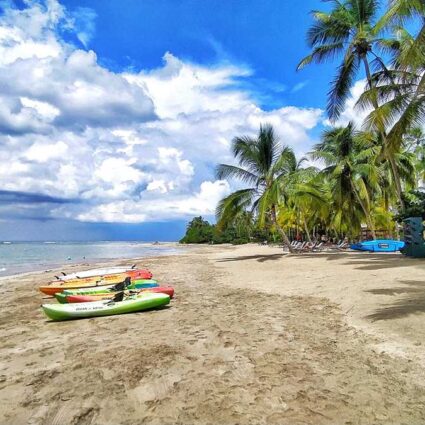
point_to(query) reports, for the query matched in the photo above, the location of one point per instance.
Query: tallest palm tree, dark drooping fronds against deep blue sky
(350, 30)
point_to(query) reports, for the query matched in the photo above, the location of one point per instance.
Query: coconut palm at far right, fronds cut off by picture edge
(400, 92)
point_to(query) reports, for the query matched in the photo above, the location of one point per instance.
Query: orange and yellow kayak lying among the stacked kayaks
(58, 285)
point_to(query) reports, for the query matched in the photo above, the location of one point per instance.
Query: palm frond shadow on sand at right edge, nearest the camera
(413, 301)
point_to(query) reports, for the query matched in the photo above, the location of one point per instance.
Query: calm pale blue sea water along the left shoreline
(20, 257)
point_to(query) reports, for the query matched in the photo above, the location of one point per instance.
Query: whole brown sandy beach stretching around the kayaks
(252, 337)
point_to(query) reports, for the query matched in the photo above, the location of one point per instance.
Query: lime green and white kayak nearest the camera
(105, 308)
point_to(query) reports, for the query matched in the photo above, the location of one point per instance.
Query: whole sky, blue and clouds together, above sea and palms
(114, 114)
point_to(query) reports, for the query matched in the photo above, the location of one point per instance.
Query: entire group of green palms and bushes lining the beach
(368, 175)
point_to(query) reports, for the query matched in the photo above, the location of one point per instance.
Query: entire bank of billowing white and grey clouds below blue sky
(130, 146)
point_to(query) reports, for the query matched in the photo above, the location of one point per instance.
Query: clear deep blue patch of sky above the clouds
(267, 36)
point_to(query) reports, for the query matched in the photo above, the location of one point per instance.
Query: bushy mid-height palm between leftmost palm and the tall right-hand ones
(350, 167)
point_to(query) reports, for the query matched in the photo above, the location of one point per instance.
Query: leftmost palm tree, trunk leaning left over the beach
(267, 167)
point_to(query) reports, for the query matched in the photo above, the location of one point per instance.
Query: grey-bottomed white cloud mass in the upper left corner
(36, 65)
